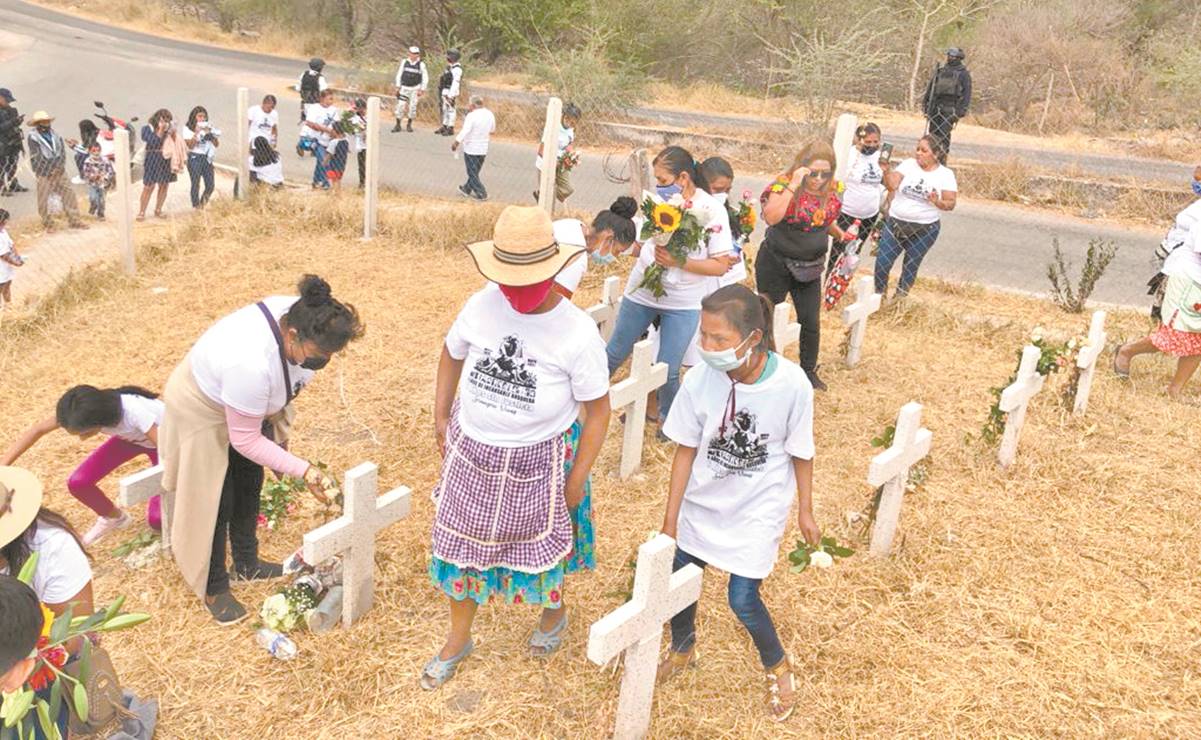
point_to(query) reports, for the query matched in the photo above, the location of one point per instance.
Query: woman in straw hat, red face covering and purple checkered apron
(513, 503)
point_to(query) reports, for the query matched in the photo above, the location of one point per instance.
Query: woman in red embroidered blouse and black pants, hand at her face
(802, 211)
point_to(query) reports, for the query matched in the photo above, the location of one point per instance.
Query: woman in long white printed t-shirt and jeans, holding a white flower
(744, 425)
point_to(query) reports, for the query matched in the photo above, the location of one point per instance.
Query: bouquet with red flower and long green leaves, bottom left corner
(52, 657)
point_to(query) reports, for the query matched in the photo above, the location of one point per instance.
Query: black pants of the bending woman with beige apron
(238, 516)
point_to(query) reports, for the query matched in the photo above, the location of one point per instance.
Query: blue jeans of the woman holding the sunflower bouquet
(677, 330)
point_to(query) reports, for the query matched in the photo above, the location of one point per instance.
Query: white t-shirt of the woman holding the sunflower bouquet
(685, 290)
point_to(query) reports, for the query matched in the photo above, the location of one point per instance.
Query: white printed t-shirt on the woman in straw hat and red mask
(524, 375)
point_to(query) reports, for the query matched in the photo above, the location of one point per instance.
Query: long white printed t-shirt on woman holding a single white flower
(743, 484)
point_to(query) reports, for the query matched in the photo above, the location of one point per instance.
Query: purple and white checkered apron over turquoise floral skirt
(501, 506)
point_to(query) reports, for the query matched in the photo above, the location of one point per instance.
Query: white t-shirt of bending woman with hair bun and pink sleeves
(237, 361)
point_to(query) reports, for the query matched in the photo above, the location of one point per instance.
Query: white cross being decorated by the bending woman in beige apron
(354, 534)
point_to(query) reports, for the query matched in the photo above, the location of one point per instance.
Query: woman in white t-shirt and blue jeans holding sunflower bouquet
(685, 283)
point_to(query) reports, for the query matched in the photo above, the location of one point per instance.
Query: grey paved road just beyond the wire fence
(62, 64)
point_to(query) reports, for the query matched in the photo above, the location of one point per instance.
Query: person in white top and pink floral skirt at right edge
(1180, 335)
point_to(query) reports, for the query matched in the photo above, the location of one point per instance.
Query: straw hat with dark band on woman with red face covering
(523, 249)
